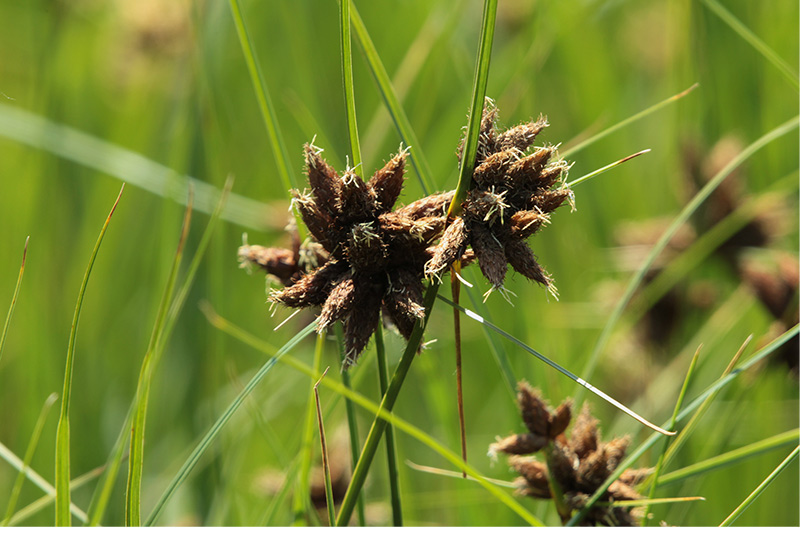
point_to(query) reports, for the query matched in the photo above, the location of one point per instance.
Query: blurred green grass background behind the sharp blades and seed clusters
(167, 80)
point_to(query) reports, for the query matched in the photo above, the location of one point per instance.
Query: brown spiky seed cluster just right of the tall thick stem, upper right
(510, 198)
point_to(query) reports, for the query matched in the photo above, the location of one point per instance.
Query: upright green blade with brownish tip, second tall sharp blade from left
(136, 458)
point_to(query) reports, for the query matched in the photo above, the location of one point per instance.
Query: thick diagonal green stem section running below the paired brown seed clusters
(379, 424)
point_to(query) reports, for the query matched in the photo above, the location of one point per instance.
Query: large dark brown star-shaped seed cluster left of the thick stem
(375, 257)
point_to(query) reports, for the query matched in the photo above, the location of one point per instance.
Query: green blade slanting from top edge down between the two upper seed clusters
(396, 110)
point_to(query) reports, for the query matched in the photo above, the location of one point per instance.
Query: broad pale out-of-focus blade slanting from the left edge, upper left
(133, 168)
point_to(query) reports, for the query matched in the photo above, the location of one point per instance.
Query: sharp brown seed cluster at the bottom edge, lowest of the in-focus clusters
(578, 465)
